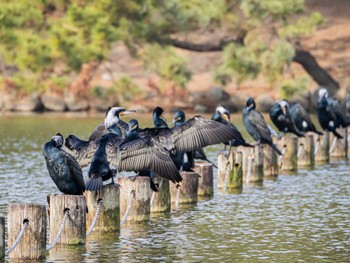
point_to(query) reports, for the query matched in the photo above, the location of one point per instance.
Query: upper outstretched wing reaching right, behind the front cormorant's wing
(197, 133)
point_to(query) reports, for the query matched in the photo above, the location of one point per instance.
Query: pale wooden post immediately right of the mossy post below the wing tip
(253, 163)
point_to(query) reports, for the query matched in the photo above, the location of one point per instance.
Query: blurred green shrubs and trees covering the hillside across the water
(47, 41)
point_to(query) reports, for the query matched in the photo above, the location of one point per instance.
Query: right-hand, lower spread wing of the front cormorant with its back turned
(146, 154)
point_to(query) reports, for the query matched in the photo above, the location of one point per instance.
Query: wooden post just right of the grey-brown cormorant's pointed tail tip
(288, 161)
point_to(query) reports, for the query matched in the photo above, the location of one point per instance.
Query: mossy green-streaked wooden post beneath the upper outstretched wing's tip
(230, 174)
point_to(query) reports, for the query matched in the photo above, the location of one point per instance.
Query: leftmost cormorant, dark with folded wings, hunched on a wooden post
(63, 168)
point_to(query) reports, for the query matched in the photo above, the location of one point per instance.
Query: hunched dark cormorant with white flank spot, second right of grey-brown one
(302, 119)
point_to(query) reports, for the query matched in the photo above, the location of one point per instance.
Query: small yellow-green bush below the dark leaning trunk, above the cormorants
(288, 88)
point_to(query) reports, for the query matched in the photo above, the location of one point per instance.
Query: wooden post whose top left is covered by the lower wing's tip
(188, 190)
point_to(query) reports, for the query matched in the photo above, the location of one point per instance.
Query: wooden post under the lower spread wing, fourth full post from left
(140, 209)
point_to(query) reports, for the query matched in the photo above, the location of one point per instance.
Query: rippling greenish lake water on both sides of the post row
(303, 217)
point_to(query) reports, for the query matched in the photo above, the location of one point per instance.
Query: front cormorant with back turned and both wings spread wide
(137, 155)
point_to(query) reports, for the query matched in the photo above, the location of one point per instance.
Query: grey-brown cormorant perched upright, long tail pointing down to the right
(256, 125)
